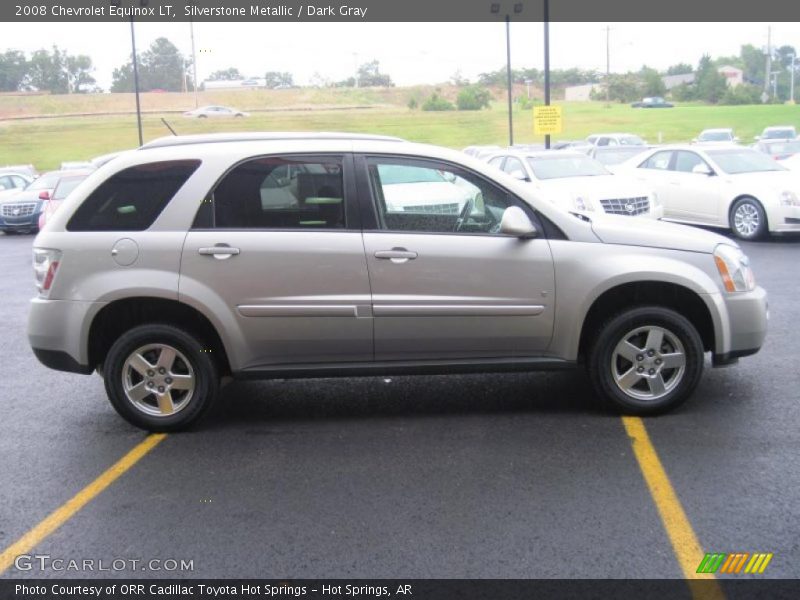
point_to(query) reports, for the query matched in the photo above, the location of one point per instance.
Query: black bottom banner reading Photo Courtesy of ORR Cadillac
(410, 589)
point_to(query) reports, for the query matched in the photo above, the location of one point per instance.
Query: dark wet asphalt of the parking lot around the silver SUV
(503, 476)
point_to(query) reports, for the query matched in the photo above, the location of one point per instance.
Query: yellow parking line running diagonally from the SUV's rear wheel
(66, 511)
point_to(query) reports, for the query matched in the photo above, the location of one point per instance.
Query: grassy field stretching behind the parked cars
(45, 142)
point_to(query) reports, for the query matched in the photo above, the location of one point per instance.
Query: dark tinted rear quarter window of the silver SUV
(132, 199)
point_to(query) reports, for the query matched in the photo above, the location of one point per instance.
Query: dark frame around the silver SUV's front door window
(368, 207)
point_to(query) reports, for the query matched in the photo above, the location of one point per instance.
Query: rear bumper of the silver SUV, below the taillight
(58, 332)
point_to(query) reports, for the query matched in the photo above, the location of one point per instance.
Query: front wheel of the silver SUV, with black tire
(607, 366)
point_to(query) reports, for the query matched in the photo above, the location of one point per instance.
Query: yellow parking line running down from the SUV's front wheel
(681, 535)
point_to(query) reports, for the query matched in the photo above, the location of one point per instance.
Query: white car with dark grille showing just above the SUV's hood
(577, 182)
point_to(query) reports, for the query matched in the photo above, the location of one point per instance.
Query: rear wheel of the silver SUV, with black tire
(192, 360)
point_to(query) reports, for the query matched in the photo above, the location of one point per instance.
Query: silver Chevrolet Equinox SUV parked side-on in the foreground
(299, 255)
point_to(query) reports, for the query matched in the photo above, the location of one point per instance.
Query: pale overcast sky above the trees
(409, 52)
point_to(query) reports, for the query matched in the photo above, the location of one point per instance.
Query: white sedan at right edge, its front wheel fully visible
(731, 187)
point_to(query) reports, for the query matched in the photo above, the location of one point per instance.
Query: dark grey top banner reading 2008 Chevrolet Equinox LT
(397, 10)
